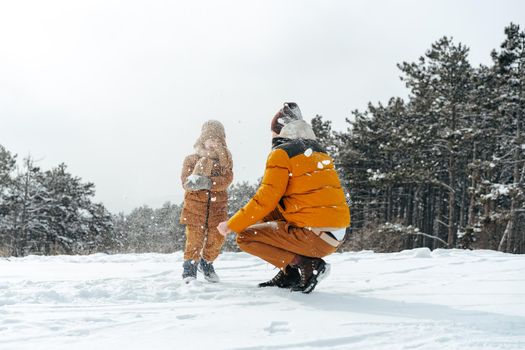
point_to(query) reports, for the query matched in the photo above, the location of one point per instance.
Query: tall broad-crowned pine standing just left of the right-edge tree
(440, 85)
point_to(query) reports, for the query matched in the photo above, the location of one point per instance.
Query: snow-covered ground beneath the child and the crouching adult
(417, 299)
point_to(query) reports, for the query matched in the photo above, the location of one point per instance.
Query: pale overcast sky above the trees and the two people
(118, 90)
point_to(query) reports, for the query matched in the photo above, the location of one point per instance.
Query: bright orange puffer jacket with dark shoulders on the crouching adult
(301, 182)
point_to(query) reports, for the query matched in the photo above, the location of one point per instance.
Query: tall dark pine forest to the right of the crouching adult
(446, 167)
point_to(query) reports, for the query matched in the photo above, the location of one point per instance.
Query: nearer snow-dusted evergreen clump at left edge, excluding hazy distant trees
(49, 212)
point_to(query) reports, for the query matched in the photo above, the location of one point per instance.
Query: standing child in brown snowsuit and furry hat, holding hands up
(206, 175)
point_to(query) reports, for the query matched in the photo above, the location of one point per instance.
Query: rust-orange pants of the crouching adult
(278, 242)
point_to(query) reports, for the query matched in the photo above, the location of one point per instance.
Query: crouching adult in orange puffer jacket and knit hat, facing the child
(299, 213)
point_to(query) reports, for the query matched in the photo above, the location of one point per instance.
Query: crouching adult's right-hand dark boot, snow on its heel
(312, 270)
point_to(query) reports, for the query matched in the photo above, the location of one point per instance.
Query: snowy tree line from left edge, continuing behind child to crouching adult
(52, 212)
